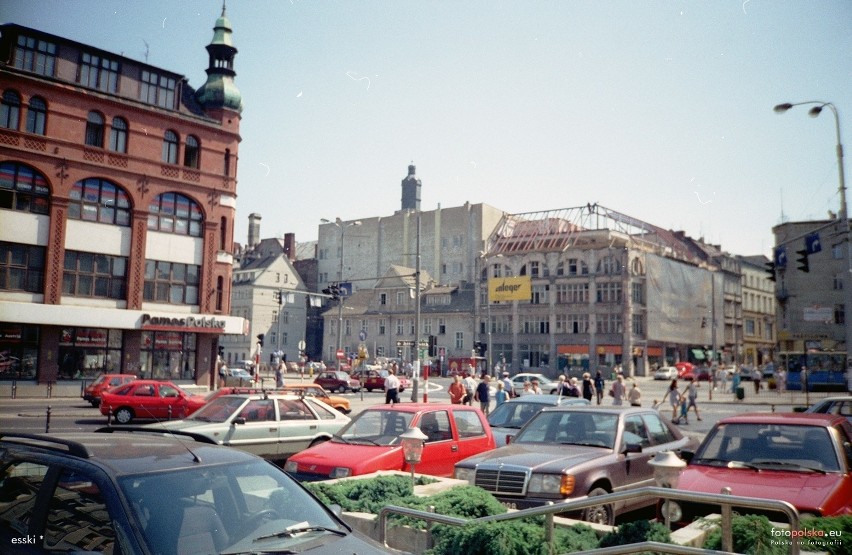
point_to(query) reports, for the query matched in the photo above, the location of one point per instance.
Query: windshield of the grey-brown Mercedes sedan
(570, 428)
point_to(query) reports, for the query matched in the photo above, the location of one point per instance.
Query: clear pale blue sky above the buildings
(658, 109)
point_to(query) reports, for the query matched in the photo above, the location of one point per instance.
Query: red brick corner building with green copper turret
(117, 202)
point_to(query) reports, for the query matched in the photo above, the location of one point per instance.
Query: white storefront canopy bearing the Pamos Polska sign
(118, 318)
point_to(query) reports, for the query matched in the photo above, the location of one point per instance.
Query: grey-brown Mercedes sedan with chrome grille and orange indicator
(569, 452)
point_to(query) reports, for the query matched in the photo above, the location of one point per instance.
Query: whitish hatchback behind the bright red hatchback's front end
(270, 426)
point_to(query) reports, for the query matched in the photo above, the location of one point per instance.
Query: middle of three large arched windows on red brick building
(98, 200)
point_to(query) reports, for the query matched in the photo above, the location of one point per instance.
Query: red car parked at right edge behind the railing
(803, 459)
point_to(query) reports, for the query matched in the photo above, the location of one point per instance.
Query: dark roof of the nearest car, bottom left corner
(128, 452)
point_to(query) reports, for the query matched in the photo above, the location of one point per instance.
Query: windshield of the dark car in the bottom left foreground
(236, 508)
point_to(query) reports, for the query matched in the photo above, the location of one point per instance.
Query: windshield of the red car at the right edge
(762, 445)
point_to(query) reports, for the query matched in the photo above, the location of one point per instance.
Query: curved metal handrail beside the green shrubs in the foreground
(725, 501)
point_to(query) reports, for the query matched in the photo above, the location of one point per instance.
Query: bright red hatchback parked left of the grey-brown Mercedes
(370, 442)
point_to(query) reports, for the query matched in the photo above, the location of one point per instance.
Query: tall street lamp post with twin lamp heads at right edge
(843, 218)
